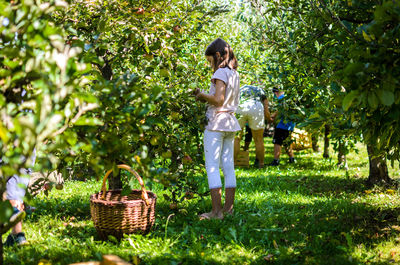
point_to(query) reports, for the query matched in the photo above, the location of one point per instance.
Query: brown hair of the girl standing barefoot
(227, 57)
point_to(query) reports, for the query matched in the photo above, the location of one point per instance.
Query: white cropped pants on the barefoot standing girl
(218, 150)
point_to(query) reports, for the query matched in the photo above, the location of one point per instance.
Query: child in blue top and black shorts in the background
(282, 131)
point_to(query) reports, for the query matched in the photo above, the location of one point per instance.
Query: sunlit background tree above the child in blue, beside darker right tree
(276, 31)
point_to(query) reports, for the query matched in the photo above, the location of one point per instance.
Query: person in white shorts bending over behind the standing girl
(253, 109)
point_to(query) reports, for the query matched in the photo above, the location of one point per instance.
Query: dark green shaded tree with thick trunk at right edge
(341, 51)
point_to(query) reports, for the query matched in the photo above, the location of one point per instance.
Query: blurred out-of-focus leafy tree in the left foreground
(42, 85)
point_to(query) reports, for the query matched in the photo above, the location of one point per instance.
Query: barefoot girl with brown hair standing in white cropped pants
(222, 100)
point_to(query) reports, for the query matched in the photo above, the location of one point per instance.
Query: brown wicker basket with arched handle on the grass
(114, 214)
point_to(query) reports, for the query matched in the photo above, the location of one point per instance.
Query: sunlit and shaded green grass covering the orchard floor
(307, 213)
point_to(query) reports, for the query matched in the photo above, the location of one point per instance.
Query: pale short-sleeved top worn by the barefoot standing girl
(223, 118)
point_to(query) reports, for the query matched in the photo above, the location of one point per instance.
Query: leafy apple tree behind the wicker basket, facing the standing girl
(148, 56)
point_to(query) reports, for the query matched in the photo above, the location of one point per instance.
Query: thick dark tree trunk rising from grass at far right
(378, 171)
